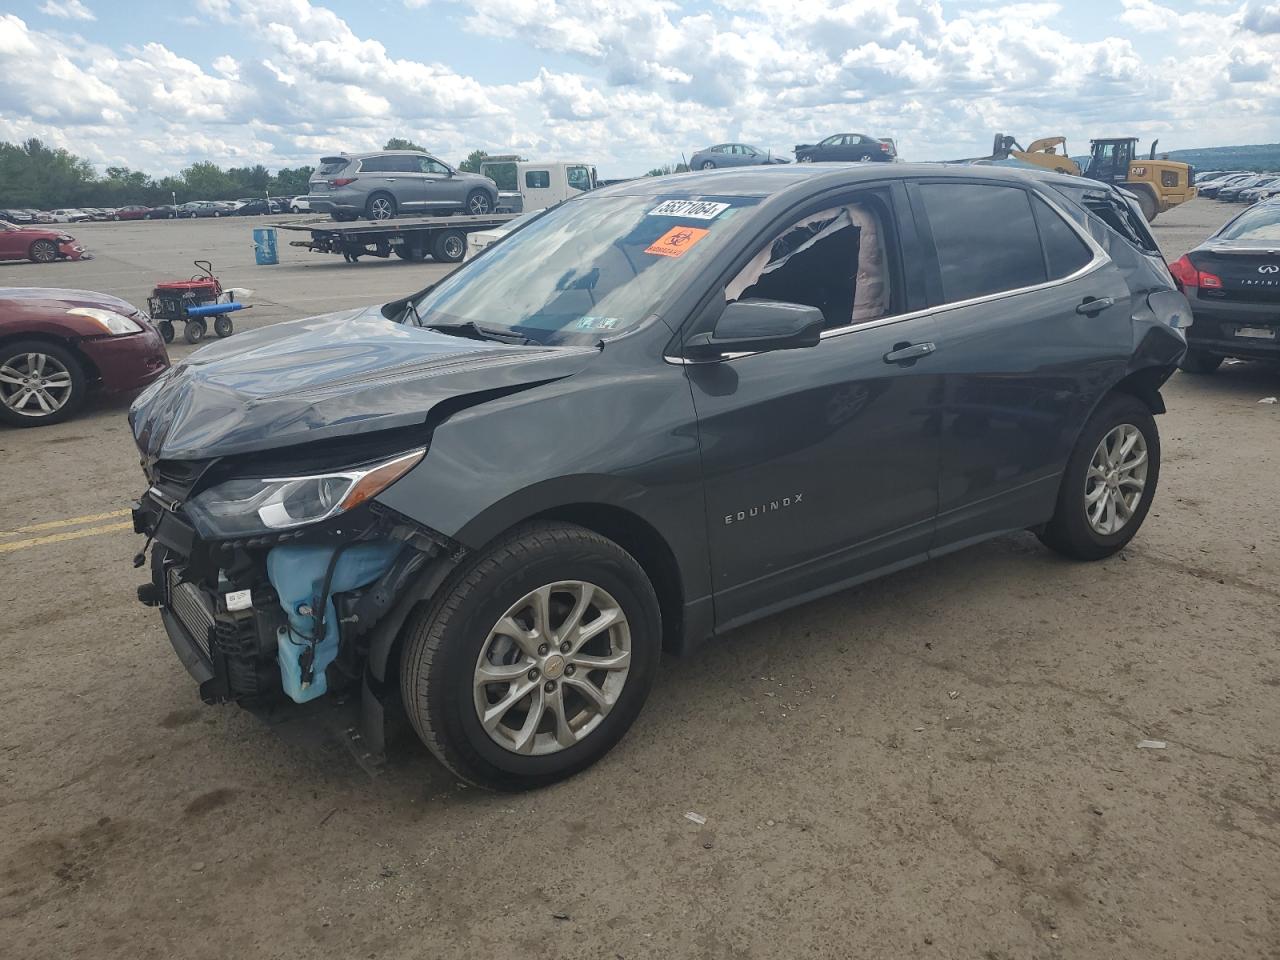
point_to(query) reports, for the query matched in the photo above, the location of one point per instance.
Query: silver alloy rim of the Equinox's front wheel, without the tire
(552, 669)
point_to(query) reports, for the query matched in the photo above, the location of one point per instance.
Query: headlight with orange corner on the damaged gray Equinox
(244, 508)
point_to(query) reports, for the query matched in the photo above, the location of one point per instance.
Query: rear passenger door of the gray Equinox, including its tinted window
(1034, 328)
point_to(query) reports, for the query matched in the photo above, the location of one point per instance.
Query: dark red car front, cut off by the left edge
(57, 346)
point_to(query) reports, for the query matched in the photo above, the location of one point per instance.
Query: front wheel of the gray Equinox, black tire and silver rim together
(534, 660)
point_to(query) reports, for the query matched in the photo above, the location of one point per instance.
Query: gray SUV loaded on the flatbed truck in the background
(380, 186)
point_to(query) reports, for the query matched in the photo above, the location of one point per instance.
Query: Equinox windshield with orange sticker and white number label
(584, 271)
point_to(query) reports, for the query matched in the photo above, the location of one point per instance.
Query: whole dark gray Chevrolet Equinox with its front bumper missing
(648, 415)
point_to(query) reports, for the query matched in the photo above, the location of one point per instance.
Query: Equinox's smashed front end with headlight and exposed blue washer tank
(286, 589)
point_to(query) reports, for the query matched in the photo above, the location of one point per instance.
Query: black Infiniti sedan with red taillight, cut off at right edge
(1233, 284)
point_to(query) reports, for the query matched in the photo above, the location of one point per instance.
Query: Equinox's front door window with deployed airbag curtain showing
(835, 259)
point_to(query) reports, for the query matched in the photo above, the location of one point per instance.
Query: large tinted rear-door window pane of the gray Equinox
(986, 239)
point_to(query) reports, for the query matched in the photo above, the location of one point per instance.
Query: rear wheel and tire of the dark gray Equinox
(1109, 483)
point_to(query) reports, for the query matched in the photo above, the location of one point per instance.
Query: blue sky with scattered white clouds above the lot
(627, 85)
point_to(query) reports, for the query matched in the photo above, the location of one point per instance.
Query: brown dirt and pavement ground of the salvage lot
(939, 765)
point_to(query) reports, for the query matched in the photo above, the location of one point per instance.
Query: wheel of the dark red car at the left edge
(40, 383)
